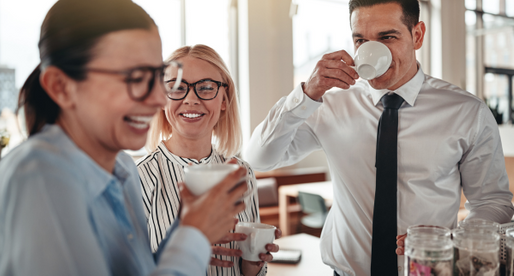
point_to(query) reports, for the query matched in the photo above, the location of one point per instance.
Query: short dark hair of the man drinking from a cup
(410, 9)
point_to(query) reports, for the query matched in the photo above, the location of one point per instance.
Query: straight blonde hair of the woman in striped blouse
(227, 131)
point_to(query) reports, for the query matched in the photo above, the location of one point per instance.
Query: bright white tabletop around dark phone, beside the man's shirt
(310, 263)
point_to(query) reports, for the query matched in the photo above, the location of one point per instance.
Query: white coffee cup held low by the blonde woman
(258, 235)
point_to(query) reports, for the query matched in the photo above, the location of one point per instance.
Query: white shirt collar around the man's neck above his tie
(409, 91)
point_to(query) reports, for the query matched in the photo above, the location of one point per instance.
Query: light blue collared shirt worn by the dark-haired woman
(62, 214)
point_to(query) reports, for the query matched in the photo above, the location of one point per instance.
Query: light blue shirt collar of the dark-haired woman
(95, 178)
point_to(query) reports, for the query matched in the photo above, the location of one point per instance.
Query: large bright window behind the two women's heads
(206, 22)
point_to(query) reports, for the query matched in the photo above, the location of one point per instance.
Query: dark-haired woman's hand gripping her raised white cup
(213, 212)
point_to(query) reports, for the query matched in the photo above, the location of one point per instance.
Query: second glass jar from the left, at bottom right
(476, 252)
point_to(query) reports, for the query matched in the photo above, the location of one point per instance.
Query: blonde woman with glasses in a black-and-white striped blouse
(204, 109)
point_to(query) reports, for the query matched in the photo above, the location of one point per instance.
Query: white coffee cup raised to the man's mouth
(372, 59)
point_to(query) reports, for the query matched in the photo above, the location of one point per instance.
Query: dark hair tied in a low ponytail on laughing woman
(69, 33)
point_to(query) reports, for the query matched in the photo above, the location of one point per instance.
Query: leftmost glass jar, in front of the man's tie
(428, 251)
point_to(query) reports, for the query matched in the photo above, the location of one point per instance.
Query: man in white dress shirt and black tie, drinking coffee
(448, 140)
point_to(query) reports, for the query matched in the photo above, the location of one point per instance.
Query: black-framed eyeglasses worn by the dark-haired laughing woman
(141, 80)
